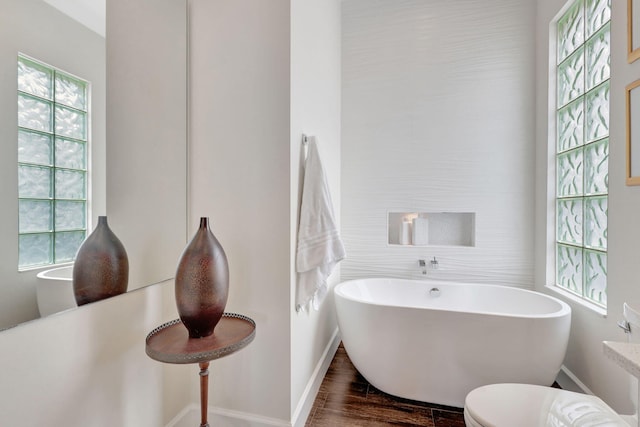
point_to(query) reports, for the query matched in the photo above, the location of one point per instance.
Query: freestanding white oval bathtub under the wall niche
(435, 341)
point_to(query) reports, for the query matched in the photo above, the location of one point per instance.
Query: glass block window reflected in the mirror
(53, 123)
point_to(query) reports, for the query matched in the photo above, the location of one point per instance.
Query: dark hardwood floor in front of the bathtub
(347, 399)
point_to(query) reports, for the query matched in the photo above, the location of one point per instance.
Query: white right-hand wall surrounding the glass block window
(585, 358)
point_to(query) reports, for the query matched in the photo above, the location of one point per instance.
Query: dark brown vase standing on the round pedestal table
(202, 283)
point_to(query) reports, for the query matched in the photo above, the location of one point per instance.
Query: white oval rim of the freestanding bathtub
(565, 309)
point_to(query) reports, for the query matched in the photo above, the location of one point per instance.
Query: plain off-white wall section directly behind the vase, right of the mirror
(240, 175)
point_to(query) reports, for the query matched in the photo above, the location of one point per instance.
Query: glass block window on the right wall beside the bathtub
(582, 148)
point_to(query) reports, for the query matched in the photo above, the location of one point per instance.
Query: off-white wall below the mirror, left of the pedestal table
(87, 366)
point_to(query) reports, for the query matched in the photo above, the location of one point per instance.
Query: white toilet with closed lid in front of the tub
(526, 405)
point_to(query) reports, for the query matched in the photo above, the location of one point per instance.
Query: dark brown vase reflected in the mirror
(101, 268)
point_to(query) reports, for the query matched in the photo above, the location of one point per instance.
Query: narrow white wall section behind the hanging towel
(315, 110)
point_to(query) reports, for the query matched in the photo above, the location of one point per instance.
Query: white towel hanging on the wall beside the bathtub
(319, 245)
